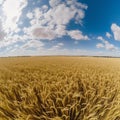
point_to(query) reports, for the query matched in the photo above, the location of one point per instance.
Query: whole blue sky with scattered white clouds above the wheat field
(59, 27)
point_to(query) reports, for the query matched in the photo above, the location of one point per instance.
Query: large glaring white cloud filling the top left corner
(9, 22)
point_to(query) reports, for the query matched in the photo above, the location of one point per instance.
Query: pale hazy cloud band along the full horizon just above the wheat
(43, 52)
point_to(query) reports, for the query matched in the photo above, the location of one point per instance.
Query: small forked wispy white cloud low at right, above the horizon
(105, 44)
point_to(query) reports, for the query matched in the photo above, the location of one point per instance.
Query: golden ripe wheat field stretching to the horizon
(59, 88)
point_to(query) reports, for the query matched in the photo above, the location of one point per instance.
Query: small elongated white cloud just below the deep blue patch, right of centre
(77, 35)
